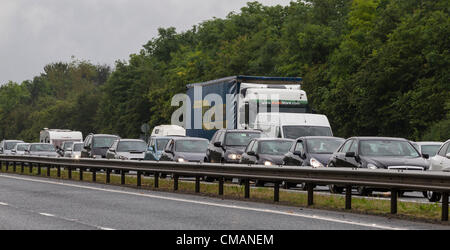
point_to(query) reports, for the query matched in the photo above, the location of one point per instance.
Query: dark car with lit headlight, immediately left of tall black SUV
(185, 149)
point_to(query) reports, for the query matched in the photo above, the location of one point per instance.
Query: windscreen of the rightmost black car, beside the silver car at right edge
(390, 148)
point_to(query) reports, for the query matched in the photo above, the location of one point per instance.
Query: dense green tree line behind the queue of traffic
(374, 67)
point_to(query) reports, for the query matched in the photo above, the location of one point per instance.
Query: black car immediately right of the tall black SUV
(266, 151)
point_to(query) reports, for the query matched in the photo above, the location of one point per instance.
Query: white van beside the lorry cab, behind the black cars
(292, 125)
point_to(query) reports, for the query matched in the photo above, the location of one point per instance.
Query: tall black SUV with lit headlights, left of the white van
(227, 146)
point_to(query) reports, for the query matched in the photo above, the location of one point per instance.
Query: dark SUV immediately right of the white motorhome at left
(96, 145)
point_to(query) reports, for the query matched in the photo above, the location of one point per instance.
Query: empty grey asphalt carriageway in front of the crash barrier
(40, 203)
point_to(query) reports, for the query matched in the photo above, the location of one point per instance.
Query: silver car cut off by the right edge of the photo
(440, 162)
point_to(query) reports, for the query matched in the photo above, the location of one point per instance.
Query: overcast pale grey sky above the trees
(37, 32)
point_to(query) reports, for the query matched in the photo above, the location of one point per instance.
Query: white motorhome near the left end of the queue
(58, 136)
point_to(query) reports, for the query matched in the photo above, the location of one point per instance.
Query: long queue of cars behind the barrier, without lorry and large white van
(252, 147)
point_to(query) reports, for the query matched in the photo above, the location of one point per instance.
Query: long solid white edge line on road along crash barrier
(295, 214)
